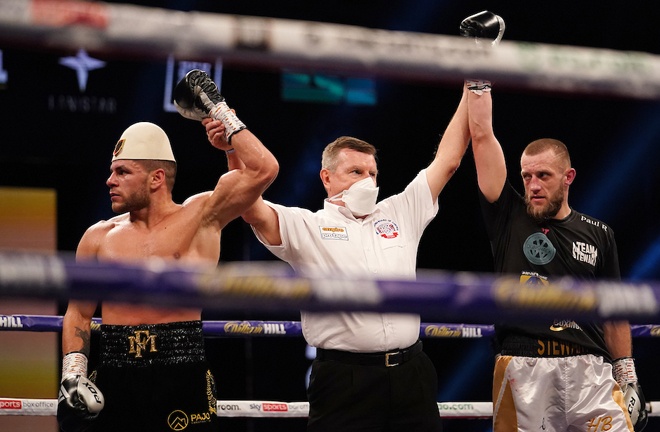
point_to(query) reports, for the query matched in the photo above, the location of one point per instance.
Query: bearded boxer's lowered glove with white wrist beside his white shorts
(625, 375)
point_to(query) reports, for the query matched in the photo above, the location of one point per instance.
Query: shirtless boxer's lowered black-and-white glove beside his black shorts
(79, 401)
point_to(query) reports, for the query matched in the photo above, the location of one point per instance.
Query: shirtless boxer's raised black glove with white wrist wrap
(197, 97)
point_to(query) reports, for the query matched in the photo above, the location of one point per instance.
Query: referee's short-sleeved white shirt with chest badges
(384, 244)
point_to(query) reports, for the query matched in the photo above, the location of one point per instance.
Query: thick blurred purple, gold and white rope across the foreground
(273, 286)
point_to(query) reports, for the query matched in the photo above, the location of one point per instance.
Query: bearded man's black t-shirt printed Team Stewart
(578, 246)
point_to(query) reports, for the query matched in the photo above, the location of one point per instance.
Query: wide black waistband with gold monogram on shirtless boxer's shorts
(152, 344)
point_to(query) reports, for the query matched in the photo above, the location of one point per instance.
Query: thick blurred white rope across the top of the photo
(156, 32)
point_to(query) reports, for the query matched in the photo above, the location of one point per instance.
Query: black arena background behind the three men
(53, 135)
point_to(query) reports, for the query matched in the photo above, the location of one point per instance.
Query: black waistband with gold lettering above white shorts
(525, 346)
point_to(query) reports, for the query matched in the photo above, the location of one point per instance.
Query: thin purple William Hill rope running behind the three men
(243, 328)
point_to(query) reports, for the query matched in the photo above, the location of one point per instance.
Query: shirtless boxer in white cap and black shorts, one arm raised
(152, 372)
